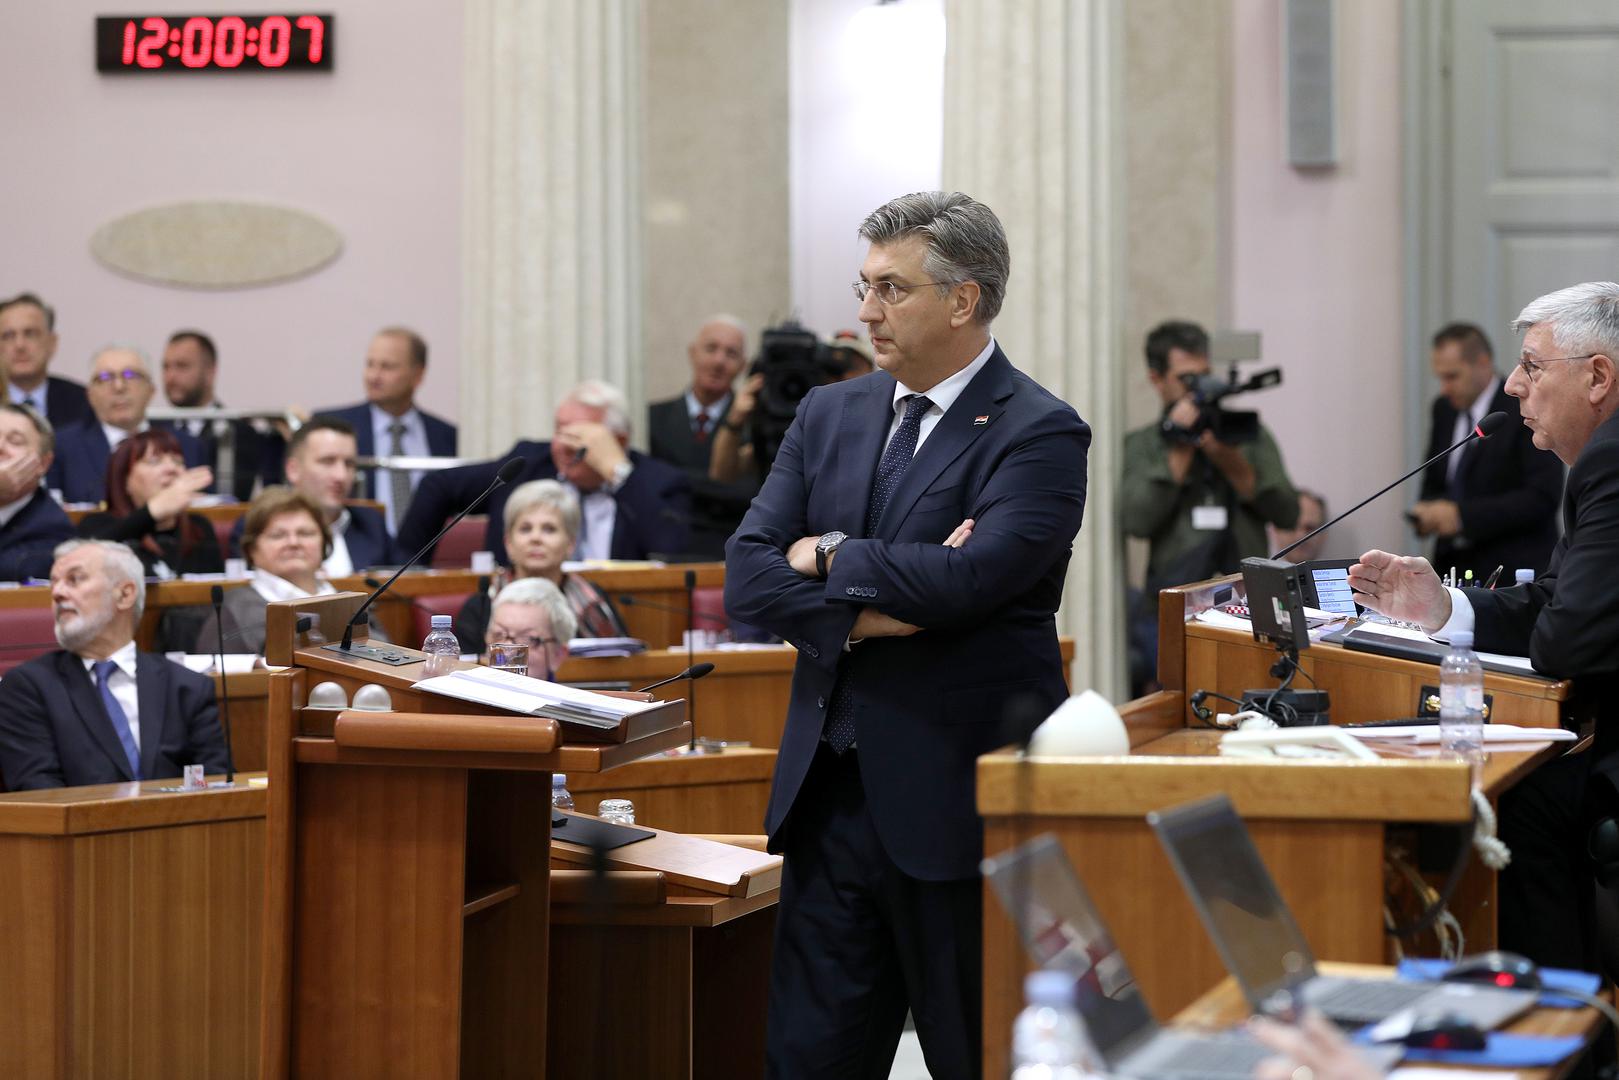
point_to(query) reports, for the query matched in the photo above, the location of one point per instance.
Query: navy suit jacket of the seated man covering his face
(655, 504)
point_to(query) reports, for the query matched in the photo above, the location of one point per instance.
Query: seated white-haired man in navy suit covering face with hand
(632, 506)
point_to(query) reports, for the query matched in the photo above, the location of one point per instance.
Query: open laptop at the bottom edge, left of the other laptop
(1063, 930)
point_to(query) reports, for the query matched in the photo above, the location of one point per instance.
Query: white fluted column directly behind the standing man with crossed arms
(1030, 96)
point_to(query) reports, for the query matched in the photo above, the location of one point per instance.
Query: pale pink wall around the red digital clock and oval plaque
(373, 148)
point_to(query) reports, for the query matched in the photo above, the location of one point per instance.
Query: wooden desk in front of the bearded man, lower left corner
(134, 925)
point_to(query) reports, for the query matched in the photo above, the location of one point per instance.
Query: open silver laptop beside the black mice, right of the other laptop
(1264, 948)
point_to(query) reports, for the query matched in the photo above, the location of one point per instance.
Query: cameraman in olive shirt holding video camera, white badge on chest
(1204, 482)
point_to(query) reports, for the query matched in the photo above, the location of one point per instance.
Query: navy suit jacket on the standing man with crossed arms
(985, 666)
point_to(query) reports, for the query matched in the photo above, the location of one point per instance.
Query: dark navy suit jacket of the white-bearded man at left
(54, 728)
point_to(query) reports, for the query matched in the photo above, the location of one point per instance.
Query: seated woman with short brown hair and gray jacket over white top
(286, 540)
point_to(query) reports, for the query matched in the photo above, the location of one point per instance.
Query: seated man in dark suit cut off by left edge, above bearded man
(32, 524)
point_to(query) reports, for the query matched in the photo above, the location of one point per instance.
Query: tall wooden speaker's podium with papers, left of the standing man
(407, 867)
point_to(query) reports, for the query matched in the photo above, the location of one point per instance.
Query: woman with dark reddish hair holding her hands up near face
(148, 495)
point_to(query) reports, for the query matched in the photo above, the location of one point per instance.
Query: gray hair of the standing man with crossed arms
(966, 242)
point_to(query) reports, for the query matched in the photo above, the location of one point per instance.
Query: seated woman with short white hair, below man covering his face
(542, 529)
